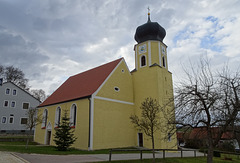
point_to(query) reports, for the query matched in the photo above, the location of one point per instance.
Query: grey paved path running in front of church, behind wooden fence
(39, 158)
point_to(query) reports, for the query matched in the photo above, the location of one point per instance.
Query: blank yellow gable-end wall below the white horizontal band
(112, 126)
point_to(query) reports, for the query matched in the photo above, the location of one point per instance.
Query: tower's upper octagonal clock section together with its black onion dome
(150, 48)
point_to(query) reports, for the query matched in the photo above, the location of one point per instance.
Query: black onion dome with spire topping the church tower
(149, 31)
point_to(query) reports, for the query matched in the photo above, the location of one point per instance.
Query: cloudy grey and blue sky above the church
(51, 40)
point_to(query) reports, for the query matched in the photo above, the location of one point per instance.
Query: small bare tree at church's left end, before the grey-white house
(33, 120)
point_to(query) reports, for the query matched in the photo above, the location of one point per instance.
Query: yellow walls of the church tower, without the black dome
(155, 82)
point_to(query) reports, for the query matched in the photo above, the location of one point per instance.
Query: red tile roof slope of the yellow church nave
(81, 85)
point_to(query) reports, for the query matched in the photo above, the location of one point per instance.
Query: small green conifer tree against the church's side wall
(64, 136)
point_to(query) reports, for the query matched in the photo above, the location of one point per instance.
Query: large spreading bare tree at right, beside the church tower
(207, 100)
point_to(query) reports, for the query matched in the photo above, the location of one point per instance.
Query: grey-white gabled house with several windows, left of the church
(14, 103)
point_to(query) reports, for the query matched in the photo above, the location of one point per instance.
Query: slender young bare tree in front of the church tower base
(149, 121)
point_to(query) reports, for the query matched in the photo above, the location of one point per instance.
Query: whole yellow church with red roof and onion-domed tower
(101, 100)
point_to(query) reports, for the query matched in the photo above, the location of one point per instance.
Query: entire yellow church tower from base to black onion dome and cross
(151, 77)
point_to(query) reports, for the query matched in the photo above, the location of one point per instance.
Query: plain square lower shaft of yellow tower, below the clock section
(155, 82)
